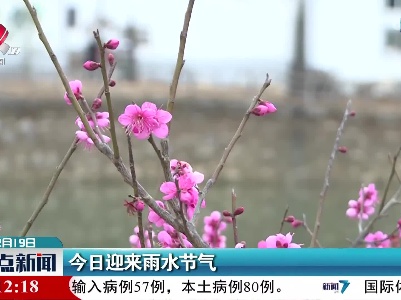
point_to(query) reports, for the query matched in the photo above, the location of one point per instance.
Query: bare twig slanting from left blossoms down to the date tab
(49, 189)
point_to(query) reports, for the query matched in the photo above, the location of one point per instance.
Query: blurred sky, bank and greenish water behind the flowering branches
(319, 54)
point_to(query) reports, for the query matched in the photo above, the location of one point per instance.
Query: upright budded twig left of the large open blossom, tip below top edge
(107, 94)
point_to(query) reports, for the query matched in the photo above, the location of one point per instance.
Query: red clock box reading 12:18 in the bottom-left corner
(36, 287)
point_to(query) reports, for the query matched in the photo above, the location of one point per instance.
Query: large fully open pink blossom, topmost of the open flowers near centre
(145, 120)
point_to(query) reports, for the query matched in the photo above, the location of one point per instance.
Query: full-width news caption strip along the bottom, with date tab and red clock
(40, 268)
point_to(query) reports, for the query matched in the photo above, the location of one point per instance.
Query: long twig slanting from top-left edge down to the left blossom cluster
(59, 69)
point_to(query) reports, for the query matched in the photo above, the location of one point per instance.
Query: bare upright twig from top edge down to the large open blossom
(180, 58)
